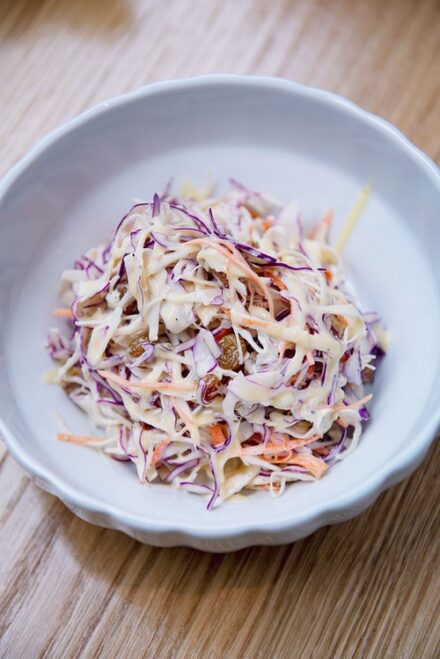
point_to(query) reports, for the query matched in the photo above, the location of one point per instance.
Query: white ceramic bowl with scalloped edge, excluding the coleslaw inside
(295, 142)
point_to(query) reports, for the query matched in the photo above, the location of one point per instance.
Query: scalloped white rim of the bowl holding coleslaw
(389, 473)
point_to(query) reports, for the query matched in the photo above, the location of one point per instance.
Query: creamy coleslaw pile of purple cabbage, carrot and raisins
(217, 345)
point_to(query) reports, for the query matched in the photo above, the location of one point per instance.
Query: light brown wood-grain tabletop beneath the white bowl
(366, 588)
